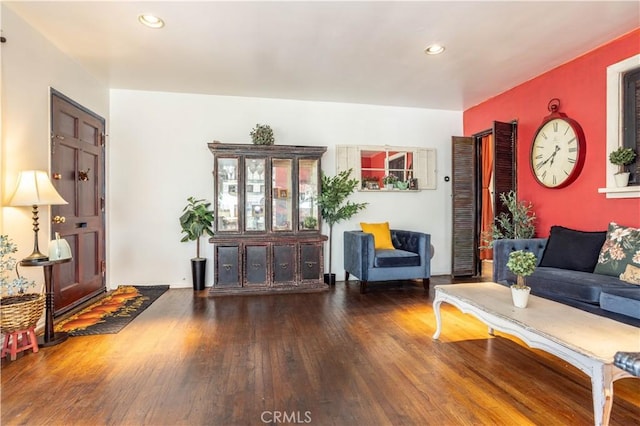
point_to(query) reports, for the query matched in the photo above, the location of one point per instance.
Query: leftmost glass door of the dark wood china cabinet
(227, 203)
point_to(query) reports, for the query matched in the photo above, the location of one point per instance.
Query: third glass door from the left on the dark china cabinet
(282, 209)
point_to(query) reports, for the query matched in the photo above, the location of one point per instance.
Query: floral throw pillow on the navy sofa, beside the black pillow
(621, 248)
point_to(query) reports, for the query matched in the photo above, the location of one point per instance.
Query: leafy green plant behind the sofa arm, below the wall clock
(518, 222)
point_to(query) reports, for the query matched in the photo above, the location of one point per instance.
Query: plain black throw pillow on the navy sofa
(571, 249)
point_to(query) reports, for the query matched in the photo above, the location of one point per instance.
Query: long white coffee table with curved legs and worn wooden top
(586, 341)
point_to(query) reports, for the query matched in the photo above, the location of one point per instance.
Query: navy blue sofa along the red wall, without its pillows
(599, 294)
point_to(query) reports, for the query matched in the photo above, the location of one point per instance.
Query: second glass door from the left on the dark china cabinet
(254, 177)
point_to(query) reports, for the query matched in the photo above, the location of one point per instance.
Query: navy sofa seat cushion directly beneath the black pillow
(577, 285)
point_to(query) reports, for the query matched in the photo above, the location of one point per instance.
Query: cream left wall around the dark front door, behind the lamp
(30, 66)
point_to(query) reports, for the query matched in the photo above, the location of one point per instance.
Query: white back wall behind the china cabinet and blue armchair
(158, 157)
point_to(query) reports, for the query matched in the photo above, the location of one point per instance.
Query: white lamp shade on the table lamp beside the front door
(35, 189)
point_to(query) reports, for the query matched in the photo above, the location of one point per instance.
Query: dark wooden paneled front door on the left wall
(78, 173)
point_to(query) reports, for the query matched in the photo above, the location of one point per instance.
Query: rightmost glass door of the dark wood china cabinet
(308, 194)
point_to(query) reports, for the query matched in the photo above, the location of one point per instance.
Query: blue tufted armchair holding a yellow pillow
(411, 258)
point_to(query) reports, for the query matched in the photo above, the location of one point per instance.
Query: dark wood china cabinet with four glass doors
(267, 221)
